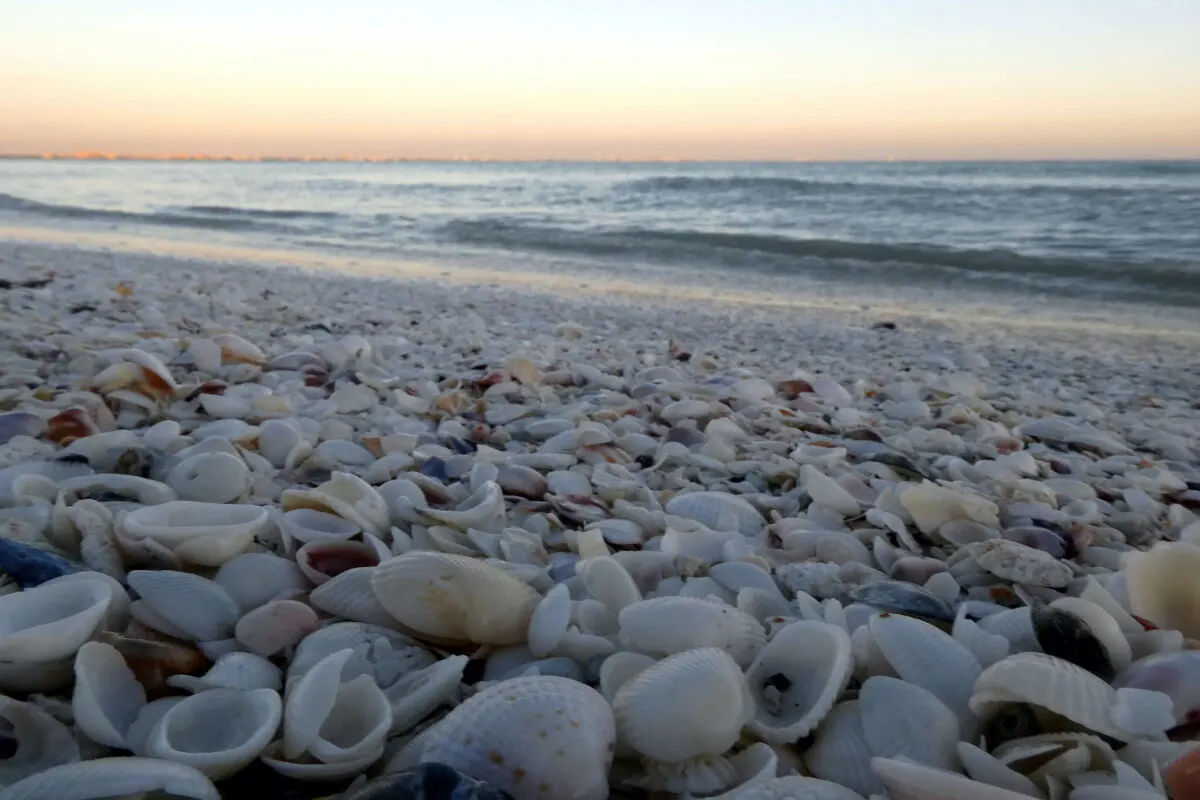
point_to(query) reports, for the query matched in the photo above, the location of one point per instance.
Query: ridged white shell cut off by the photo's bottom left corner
(111, 778)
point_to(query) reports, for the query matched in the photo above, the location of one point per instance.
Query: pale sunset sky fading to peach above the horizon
(709, 80)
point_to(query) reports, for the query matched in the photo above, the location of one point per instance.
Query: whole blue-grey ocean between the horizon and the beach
(1108, 231)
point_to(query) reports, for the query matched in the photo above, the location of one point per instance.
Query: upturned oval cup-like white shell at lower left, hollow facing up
(219, 732)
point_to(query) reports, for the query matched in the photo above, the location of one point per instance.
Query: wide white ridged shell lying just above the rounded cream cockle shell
(669, 625)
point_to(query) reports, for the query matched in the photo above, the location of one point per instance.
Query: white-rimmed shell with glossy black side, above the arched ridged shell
(1083, 634)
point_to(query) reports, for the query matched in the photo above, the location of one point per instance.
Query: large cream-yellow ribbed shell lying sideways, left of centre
(454, 598)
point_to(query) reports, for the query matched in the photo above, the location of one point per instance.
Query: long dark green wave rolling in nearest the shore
(779, 254)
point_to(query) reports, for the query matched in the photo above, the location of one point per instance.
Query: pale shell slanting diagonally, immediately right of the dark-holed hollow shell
(931, 659)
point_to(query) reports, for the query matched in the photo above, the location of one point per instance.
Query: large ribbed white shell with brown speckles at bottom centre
(538, 738)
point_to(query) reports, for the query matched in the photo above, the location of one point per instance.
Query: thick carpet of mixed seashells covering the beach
(557, 562)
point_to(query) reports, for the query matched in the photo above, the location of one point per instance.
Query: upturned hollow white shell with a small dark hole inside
(797, 678)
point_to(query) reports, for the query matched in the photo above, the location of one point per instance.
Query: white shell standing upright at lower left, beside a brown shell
(107, 696)
